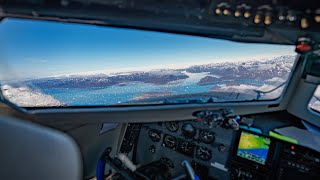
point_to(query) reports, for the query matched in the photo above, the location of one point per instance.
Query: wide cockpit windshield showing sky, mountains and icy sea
(58, 64)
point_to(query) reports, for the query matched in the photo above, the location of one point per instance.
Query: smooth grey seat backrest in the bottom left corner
(31, 151)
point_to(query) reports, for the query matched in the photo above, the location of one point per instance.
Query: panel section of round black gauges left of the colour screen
(205, 148)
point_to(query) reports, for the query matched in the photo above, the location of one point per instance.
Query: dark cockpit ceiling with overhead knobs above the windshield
(270, 21)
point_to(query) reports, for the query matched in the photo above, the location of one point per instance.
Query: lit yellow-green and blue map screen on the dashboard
(253, 147)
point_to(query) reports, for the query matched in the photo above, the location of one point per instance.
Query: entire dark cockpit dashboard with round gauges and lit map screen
(218, 153)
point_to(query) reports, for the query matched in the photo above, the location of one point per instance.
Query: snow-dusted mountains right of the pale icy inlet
(278, 67)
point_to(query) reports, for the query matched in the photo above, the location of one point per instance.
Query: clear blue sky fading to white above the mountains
(32, 48)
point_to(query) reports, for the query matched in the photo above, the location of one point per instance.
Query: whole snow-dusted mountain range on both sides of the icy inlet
(257, 70)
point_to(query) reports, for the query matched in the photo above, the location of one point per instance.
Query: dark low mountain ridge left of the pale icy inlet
(102, 80)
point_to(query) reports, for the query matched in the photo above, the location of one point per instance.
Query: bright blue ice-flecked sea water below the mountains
(130, 91)
